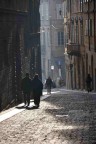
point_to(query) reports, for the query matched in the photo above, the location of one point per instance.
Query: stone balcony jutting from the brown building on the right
(73, 49)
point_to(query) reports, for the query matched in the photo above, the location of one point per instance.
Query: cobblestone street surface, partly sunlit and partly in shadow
(63, 118)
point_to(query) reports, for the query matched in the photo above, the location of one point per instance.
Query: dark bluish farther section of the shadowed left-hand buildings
(34, 38)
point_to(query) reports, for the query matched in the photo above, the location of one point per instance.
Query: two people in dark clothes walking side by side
(33, 86)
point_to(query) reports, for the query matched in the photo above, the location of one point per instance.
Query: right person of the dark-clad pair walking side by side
(37, 87)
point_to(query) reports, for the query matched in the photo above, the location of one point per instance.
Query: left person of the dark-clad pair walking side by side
(26, 88)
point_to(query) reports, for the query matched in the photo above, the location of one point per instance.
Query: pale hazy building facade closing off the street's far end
(52, 39)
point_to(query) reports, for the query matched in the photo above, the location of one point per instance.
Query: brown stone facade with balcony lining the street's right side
(81, 46)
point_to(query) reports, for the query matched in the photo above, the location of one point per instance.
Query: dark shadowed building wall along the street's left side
(18, 20)
